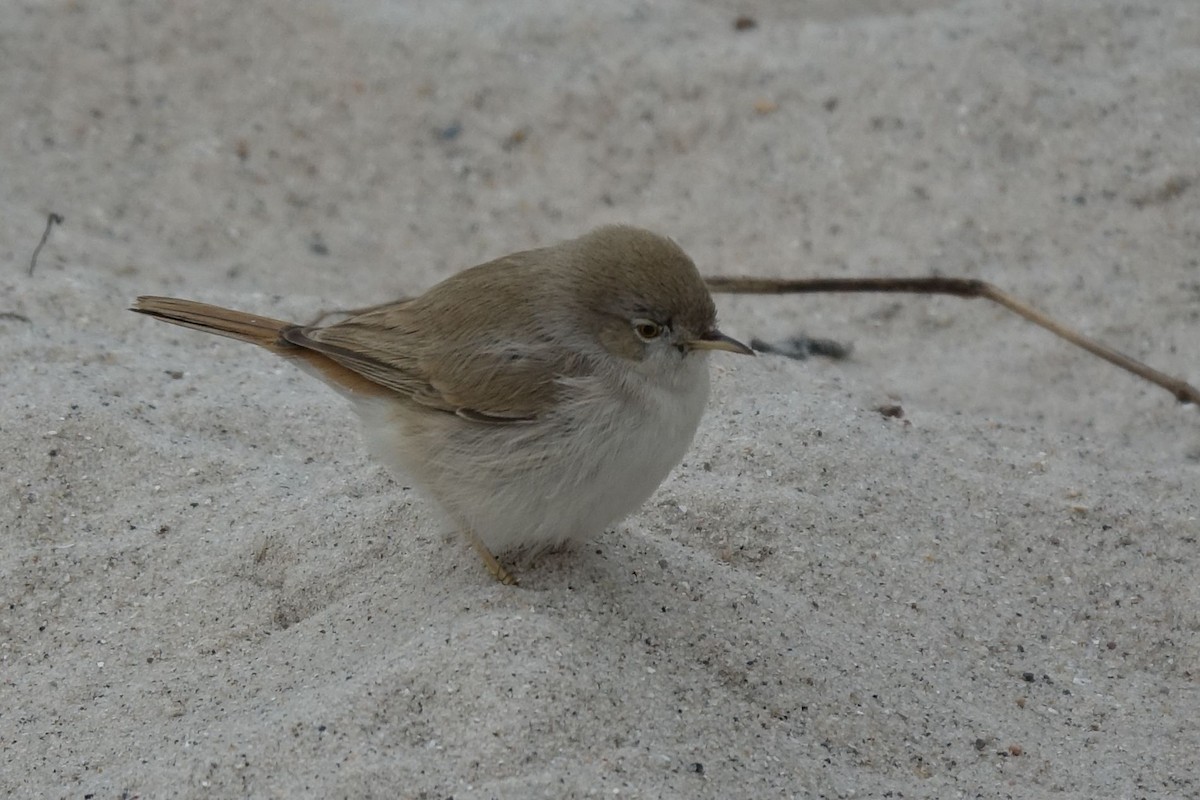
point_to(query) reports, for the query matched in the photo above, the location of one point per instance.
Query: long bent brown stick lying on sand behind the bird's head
(961, 288)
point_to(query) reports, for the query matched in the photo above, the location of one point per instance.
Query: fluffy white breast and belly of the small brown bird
(563, 478)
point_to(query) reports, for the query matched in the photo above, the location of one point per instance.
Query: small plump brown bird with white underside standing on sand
(537, 399)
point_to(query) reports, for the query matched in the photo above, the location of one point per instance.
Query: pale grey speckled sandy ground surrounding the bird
(211, 591)
